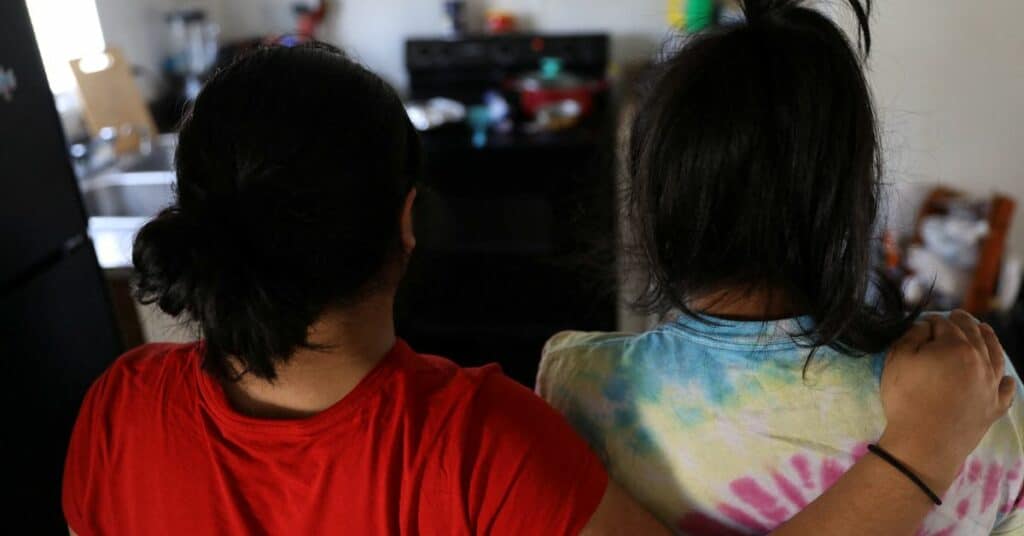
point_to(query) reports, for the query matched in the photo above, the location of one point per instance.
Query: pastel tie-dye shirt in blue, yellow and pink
(718, 431)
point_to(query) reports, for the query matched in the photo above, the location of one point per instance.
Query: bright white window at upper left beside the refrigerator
(66, 30)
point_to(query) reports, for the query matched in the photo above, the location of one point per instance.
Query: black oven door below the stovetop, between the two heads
(515, 244)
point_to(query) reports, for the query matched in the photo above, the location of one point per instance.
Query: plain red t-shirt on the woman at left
(420, 446)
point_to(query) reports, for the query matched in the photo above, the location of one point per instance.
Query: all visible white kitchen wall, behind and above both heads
(948, 74)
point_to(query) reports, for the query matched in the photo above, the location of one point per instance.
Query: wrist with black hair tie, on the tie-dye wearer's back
(935, 465)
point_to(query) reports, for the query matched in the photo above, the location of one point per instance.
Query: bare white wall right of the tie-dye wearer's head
(949, 77)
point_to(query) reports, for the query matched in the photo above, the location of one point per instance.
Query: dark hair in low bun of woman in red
(292, 169)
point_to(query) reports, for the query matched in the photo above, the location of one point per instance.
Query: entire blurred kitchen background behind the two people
(523, 106)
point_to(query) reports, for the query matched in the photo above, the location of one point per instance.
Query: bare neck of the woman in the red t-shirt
(354, 341)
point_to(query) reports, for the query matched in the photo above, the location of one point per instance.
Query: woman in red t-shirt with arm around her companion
(301, 413)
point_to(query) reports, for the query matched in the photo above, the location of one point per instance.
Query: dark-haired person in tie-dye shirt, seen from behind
(755, 173)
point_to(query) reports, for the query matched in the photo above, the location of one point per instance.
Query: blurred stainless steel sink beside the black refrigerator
(122, 198)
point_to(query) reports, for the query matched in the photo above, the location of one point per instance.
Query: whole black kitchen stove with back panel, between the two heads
(515, 237)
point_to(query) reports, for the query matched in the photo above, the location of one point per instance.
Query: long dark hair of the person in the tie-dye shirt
(755, 163)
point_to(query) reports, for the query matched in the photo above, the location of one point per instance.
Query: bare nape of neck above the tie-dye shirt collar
(758, 304)
